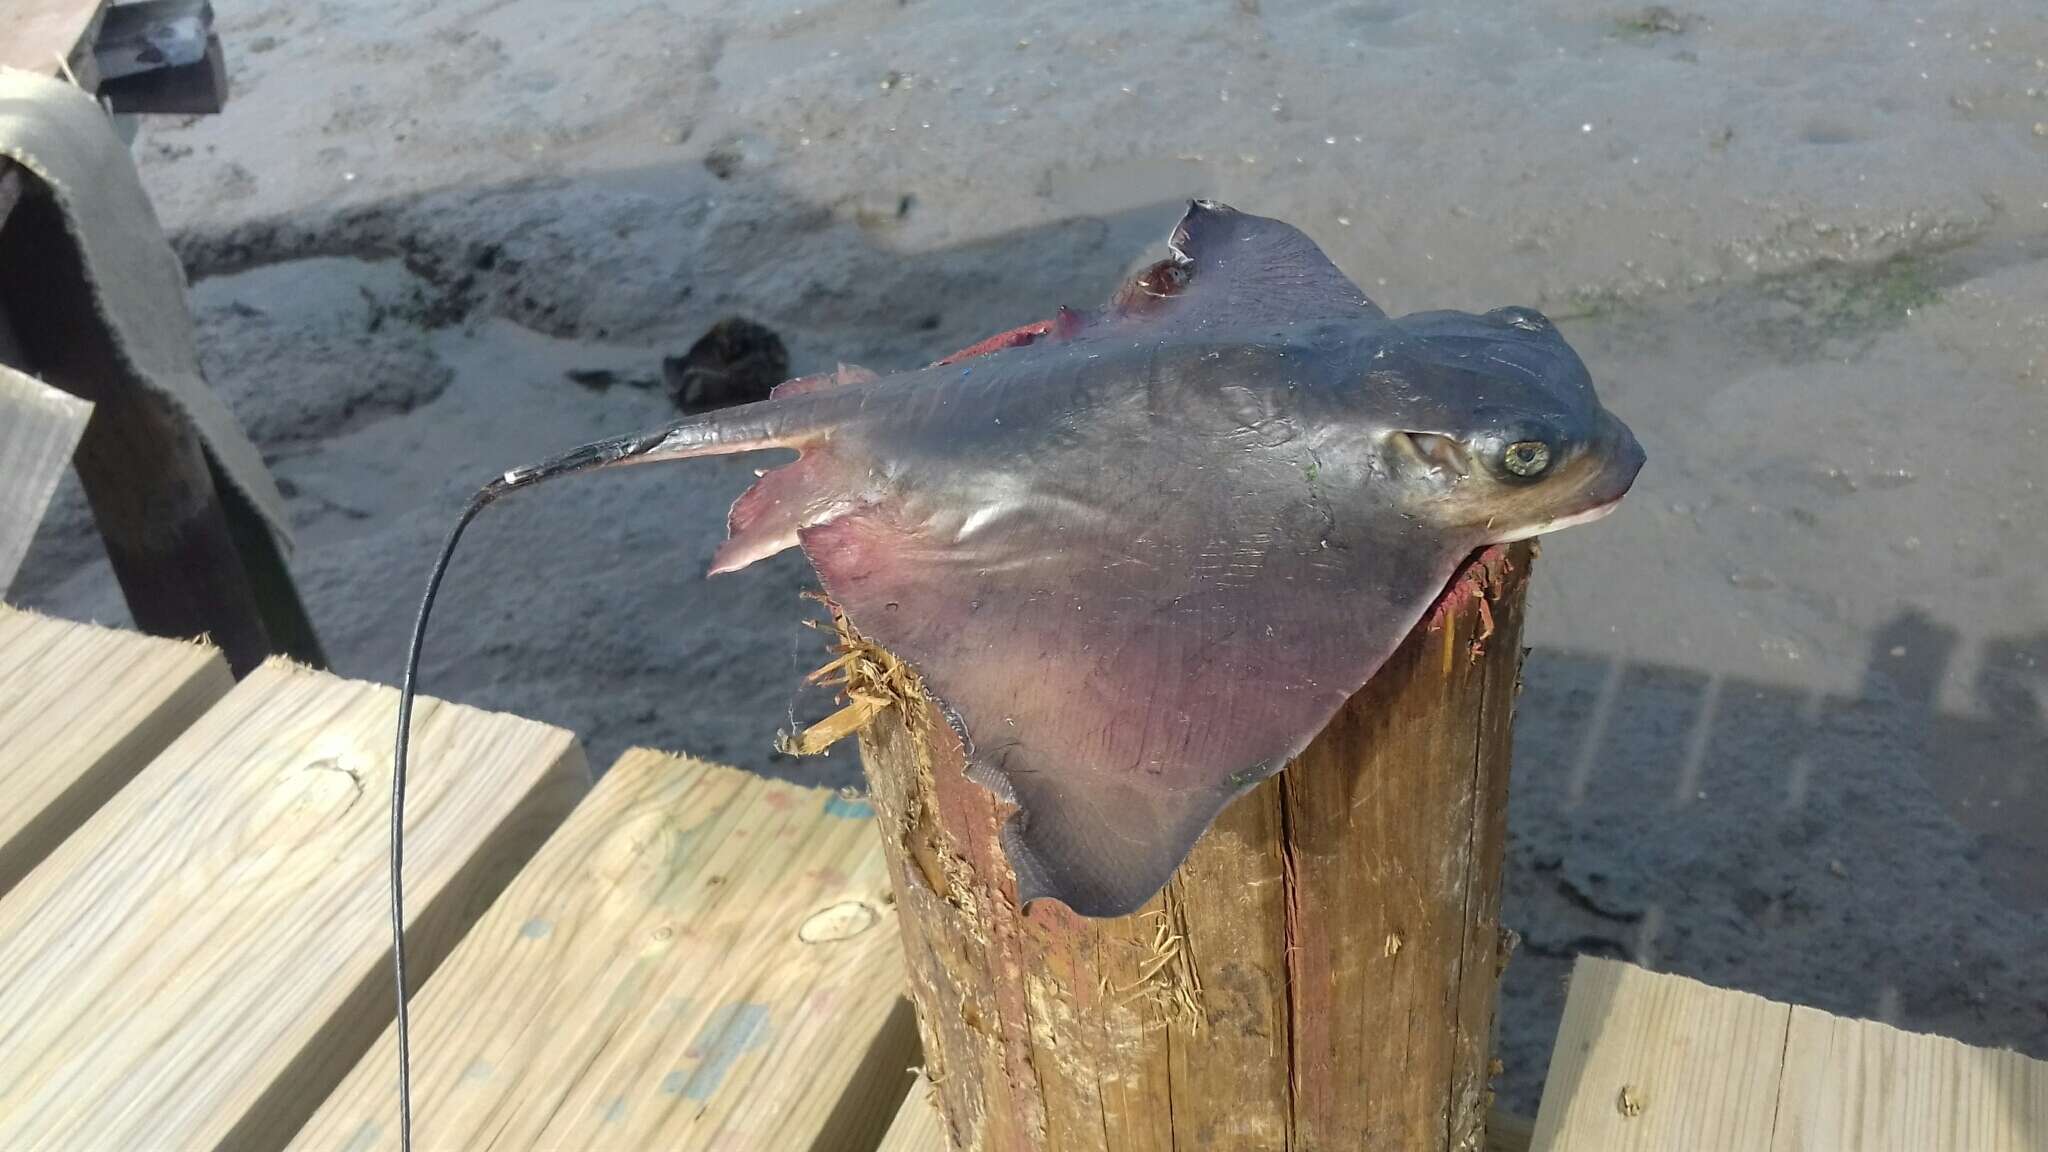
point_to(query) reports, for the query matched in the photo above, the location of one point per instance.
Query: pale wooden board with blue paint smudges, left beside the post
(697, 960)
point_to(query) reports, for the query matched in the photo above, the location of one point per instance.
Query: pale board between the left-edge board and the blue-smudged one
(206, 958)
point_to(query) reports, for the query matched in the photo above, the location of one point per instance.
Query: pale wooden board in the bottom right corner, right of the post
(1650, 1063)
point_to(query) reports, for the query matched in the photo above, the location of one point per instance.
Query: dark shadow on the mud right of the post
(1865, 854)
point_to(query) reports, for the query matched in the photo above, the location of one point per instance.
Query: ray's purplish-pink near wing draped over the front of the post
(1134, 639)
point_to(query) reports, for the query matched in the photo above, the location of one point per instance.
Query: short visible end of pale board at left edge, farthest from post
(81, 712)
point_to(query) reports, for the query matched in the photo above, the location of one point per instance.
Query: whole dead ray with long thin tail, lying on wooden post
(1142, 557)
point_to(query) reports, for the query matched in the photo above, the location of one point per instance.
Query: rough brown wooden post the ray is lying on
(1322, 971)
